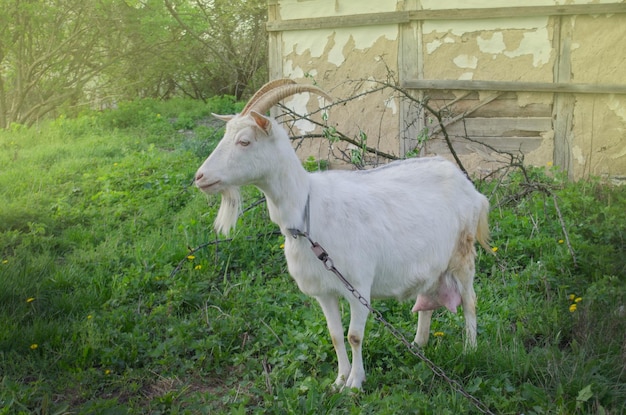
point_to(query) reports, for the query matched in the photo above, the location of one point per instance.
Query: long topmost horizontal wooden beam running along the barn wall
(401, 17)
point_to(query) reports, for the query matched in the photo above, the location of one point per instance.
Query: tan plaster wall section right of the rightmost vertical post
(599, 123)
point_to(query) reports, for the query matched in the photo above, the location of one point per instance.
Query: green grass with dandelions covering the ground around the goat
(97, 213)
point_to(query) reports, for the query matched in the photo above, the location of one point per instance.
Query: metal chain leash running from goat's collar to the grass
(323, 256)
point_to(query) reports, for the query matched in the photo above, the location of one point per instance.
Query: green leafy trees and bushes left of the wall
(58, 55)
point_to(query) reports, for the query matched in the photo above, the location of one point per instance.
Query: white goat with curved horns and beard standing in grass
(405, 230)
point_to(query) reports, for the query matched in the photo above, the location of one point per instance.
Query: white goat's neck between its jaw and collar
(287, 191)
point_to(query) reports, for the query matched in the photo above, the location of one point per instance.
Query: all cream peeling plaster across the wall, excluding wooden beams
(526, 49)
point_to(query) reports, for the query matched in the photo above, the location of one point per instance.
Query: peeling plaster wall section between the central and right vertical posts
(518, 50)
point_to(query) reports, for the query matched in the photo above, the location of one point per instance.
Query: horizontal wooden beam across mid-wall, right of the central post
(513, 86)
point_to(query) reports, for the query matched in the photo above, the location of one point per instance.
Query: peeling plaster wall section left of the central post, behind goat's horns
(341, 61)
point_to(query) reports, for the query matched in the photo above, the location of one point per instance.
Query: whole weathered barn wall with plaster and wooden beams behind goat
(494, 65)
